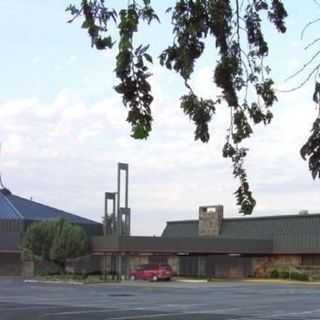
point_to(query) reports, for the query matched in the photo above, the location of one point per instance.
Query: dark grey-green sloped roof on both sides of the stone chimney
(289, 233)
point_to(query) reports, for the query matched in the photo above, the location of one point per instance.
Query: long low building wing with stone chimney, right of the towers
(214, 246)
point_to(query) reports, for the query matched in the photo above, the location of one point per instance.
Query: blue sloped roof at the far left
(15, 207)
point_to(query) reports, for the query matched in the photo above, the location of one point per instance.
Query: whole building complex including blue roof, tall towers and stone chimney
(211, 246)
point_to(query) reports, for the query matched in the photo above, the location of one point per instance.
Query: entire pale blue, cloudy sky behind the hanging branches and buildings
(63, 127)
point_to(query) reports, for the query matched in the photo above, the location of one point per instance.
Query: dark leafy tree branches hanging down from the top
(240, 71)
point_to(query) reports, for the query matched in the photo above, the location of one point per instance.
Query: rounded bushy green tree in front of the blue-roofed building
(55, 241)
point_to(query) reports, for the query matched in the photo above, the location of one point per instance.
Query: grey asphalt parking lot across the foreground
(163, 301)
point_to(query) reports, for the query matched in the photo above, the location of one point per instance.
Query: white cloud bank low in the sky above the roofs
(65, 152)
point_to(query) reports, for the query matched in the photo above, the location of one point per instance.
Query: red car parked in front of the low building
(152, 272)
